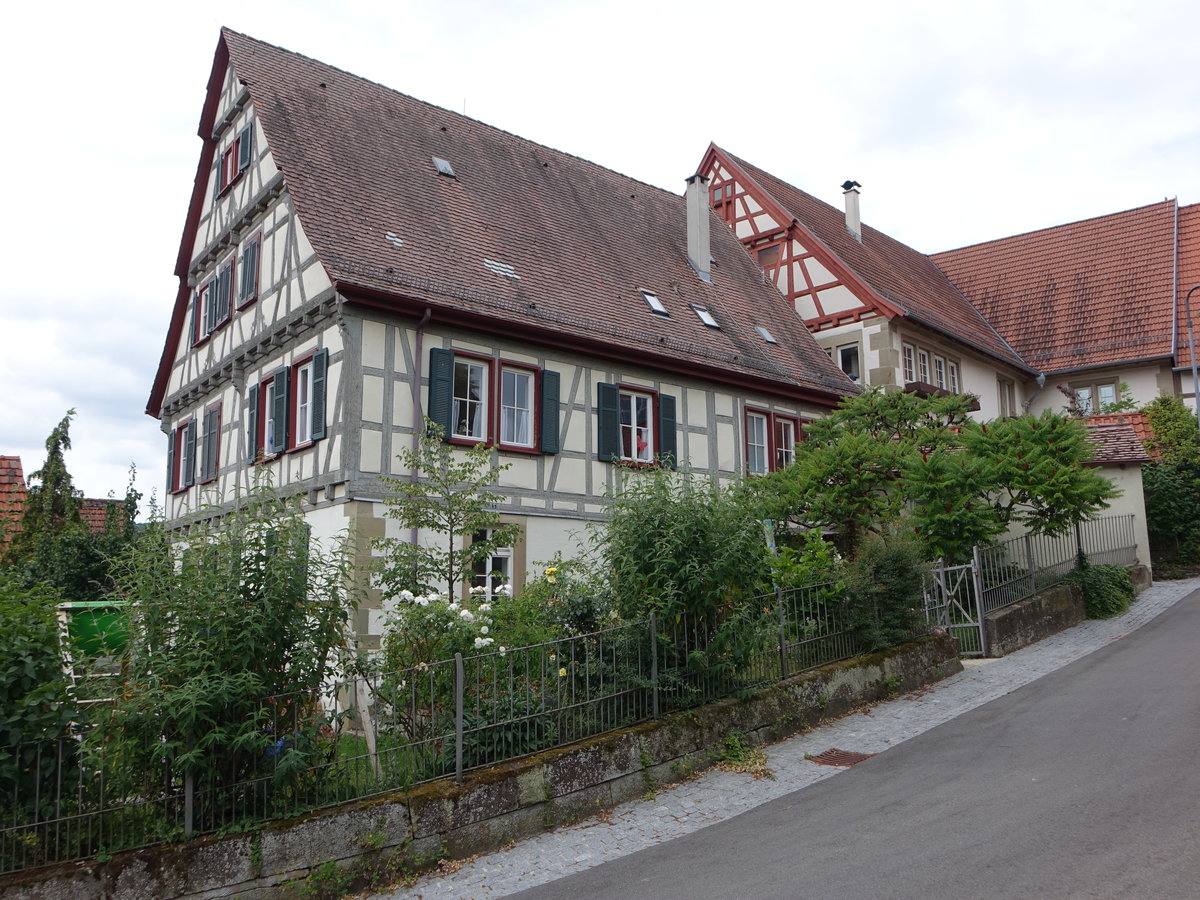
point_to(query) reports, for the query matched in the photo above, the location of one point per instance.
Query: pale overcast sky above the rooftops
(964, 122)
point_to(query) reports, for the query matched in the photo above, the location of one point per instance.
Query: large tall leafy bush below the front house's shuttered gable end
(232, 635)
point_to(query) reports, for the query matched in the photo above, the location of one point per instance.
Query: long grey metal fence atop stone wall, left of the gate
(104, 789)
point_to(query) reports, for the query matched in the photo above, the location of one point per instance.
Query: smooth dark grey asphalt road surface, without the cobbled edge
(1084, 784)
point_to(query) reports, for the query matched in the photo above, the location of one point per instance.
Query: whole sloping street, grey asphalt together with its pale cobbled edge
(1076, 785)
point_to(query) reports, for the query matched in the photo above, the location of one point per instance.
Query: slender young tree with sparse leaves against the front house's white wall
(451, 501)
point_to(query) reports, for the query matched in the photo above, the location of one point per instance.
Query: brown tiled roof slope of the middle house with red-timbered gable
(898, 273)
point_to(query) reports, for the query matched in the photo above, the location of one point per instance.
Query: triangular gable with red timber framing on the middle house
(784, 248)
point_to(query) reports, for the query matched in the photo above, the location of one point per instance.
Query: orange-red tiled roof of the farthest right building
(1083, 295)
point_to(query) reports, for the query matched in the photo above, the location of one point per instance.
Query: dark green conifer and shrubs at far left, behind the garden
(55, 545)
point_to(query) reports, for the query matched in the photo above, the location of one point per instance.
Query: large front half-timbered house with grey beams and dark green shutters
(356, 261)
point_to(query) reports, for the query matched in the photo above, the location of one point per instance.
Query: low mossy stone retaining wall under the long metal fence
(493, 807)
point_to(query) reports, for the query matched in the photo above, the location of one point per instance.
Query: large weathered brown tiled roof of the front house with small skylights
(580, 239)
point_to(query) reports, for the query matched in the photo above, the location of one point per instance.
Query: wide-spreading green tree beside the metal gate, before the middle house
(886, 455)
